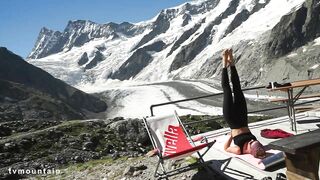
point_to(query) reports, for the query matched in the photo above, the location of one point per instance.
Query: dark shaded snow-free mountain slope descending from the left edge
(27, 92)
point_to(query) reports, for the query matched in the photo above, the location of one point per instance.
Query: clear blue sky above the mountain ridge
(21, 20)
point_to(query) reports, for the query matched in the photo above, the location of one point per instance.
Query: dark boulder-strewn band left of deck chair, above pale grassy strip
(57, 144)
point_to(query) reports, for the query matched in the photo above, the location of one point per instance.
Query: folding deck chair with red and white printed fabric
(170, 138)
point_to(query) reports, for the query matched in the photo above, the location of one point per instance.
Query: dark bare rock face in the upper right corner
(295, 30)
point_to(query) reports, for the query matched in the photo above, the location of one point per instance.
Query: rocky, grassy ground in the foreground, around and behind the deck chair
(109, 148)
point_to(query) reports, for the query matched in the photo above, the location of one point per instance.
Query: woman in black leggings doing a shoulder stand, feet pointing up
(235, 113)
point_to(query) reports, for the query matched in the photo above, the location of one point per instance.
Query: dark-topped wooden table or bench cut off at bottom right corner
(302, 155)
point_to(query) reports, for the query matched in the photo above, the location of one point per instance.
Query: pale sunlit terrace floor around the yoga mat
(235, 168)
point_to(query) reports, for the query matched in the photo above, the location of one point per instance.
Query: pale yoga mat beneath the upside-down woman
(273, 156)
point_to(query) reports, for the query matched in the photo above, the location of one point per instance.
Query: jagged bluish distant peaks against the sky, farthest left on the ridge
(76, 34)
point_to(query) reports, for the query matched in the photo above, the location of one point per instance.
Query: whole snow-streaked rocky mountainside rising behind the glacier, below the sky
(185, 42)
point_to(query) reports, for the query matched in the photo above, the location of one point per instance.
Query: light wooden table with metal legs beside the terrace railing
(292, 99)
